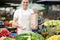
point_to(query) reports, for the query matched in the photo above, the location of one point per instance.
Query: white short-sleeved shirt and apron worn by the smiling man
(23, 19)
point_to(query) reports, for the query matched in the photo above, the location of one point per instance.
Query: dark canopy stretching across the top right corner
(49, 2)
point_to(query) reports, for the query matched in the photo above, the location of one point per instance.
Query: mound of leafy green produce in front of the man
(29, 36)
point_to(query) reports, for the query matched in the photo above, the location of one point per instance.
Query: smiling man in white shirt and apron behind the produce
(22, 18)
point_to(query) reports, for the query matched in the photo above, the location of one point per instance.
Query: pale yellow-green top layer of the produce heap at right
(50, 23)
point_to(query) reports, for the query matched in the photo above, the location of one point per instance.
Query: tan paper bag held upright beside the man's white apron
(34, 21)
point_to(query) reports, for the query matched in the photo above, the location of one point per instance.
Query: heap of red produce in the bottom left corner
(6, 35)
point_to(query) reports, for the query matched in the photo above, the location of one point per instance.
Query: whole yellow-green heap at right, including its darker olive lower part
(52, 26)
